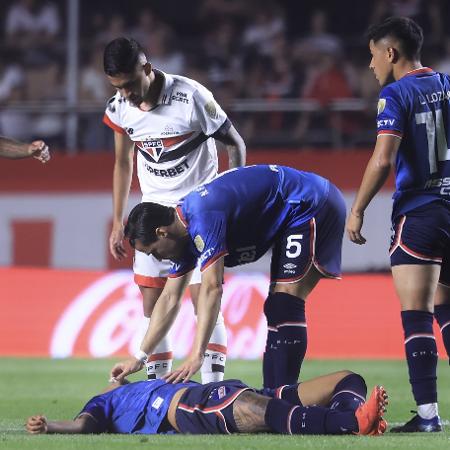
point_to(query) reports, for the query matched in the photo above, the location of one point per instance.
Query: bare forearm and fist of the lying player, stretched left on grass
(39, 424)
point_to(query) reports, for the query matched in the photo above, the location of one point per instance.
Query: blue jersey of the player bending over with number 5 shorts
(240, 214)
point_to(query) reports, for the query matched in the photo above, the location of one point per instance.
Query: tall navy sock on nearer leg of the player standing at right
(421, 355)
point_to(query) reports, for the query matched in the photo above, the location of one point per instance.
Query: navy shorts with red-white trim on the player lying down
(208, 408)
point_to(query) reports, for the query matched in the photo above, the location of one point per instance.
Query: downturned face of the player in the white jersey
(133, 86)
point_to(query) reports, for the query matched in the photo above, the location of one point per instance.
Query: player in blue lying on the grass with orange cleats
(330, 404)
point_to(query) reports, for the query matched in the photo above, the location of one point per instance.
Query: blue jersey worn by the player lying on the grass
(133, 408)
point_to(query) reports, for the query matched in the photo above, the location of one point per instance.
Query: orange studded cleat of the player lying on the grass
(370, 414)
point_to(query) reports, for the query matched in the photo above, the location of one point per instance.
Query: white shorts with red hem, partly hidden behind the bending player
(149, 272)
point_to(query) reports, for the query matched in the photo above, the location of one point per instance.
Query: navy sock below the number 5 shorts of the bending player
(286, 340)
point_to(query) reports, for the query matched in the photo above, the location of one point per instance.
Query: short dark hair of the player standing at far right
(405, 30)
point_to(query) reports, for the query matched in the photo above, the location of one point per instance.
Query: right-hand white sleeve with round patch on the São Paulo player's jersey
(207, 112)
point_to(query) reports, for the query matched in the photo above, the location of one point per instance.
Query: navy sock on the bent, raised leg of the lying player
(349, 393)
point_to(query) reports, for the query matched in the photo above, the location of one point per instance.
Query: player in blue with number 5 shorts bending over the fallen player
(234, 220)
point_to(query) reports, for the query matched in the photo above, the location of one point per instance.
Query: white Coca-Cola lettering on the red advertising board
(106, 319)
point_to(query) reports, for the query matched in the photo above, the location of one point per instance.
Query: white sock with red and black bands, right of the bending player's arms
(213, 366)
